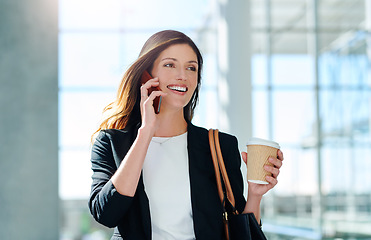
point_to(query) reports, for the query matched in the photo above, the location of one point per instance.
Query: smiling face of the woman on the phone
(177, 68)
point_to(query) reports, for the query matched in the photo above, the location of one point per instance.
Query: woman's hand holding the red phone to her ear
(149, 117)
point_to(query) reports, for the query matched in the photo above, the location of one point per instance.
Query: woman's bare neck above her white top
(171, 124)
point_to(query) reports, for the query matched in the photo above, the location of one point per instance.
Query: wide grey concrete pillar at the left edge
(29, 202)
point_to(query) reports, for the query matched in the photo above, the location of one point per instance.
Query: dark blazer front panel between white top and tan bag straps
(206, 206)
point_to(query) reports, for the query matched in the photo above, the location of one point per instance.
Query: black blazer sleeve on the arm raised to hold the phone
(106, 205)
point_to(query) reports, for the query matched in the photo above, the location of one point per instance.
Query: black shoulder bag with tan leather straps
(237, 226)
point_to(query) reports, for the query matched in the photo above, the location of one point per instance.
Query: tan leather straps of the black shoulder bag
(220, 169)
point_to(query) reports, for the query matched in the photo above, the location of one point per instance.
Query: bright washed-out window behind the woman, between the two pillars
(97, 41)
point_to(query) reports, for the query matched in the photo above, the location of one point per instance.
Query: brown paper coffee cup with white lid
(258, 152)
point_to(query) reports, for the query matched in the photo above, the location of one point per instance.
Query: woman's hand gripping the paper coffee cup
(261, 189)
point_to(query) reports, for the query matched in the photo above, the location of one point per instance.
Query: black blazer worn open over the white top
(131, 216)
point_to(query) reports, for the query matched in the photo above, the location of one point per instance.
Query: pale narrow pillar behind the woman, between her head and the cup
(235, 74)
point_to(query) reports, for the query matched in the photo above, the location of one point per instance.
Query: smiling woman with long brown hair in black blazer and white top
(153, 173)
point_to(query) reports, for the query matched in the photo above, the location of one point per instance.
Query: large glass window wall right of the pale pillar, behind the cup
(325, 149)
